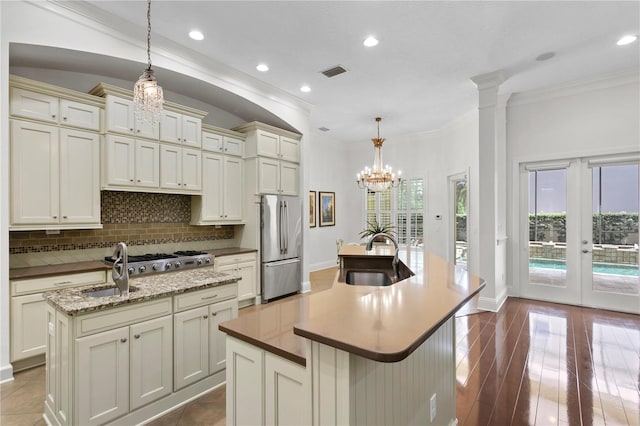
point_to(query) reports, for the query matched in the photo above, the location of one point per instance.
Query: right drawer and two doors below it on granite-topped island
(199, 346)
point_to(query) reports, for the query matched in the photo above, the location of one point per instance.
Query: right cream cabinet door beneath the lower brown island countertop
(287, 398)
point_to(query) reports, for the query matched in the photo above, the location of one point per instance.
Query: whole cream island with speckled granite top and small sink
(128, 359)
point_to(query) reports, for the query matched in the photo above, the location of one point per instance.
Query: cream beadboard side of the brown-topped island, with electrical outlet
(350, 389)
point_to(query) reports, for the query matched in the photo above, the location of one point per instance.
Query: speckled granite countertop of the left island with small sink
(72, 301)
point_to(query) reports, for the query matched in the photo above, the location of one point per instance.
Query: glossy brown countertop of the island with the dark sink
(380, 323)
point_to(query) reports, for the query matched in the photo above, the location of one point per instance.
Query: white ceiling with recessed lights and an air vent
(417, 78)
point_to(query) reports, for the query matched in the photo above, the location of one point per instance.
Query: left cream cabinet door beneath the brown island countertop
(245, 384)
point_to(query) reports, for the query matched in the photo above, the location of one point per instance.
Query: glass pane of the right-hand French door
(615, 229)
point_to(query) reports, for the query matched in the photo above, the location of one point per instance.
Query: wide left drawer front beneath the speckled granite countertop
(119, 317)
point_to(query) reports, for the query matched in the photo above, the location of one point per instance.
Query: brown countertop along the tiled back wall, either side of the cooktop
(97, 265)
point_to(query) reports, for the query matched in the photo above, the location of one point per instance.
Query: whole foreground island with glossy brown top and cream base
(353, 354)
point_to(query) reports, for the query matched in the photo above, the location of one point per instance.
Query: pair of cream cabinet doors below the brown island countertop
(278, 390)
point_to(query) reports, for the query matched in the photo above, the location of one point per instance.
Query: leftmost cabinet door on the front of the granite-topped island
(103, 384)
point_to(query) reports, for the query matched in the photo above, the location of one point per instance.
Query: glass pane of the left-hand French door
(547, 227)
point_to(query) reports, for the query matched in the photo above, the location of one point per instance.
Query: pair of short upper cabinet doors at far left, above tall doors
(52, 109)
